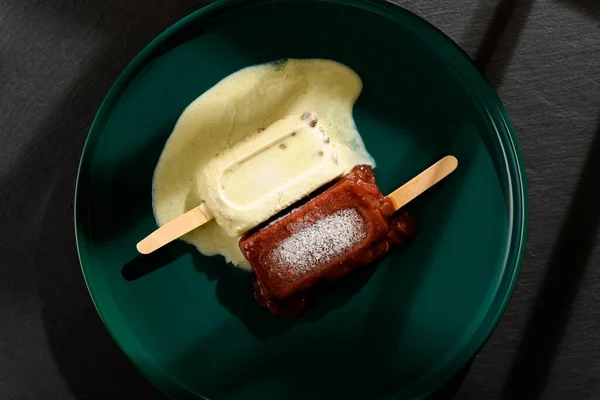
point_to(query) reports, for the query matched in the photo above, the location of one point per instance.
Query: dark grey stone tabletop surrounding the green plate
(58, 59)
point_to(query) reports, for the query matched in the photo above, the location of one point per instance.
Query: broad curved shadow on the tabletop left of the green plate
(41, 185)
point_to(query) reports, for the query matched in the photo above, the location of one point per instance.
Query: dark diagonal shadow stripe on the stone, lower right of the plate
(554, 303)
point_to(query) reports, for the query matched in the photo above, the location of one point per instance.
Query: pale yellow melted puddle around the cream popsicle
(240, 104)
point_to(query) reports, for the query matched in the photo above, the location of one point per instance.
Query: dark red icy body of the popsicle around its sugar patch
(287, 293)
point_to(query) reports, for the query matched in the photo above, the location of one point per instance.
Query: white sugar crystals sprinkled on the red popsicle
(319, 243)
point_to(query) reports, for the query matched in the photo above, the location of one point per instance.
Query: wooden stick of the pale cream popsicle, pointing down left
(173, 230)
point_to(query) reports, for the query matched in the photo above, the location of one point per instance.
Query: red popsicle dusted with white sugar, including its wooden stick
(348, 225)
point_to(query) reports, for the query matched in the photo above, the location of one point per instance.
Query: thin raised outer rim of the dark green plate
(505, 134)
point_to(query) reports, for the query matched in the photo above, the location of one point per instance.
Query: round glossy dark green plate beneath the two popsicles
(400, 330)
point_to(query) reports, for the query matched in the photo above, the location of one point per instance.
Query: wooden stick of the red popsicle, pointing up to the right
(420, 183)
